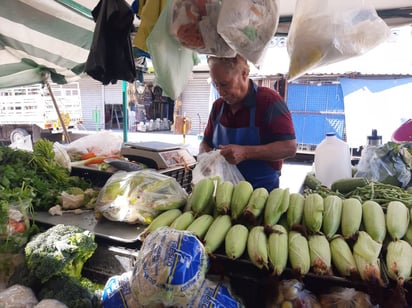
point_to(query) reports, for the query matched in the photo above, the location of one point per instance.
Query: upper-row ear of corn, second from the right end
(373, 219)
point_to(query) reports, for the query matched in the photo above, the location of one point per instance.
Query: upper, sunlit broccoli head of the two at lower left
(61, 249)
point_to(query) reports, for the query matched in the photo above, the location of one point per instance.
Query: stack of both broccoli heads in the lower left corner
(54, 261)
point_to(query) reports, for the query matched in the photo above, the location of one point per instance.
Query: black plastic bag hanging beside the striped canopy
(111, 54)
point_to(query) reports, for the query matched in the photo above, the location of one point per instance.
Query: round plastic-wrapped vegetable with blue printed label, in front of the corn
(170, 268)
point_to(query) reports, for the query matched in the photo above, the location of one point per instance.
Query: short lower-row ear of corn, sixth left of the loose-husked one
(236, 241)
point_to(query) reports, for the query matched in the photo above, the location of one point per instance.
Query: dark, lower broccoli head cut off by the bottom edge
(73, 292)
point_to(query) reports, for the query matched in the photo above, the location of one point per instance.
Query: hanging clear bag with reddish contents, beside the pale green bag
(194, 24)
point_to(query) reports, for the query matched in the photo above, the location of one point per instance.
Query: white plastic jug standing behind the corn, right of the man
(332, 160)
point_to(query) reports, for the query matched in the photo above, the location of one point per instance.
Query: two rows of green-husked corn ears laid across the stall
(307, 233)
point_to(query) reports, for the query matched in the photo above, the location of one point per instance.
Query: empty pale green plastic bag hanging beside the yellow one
(172, 63)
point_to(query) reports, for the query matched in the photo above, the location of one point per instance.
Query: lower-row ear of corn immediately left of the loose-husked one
(342, 257)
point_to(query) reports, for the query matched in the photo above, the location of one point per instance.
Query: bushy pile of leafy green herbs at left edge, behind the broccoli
(35, 174)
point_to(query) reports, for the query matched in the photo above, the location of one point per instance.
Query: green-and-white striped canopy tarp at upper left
(42, 35)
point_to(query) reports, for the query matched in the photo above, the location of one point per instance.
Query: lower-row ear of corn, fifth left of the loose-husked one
(257, 247)
